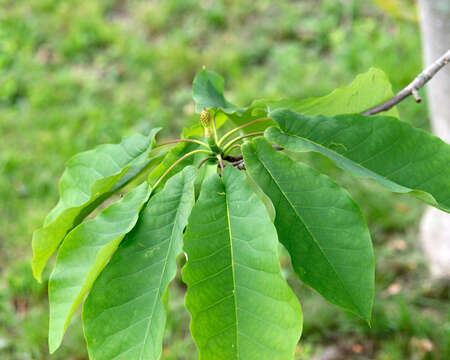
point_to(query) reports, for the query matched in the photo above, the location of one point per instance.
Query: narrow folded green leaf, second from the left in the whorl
(83, 255)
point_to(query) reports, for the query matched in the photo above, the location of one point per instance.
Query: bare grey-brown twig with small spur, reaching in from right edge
(413, 87)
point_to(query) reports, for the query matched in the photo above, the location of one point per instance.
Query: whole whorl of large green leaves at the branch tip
(226, 202)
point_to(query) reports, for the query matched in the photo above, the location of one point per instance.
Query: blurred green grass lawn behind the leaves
(75, 74)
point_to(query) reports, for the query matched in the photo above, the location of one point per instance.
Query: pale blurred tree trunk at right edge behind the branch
(435, 226)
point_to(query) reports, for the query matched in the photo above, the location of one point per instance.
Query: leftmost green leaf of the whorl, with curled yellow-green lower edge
(88, 177)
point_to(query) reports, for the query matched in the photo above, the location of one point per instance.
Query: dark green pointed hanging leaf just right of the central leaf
(320, 225)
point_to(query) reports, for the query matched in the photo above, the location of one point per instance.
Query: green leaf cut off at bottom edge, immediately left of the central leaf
(124, 315)
